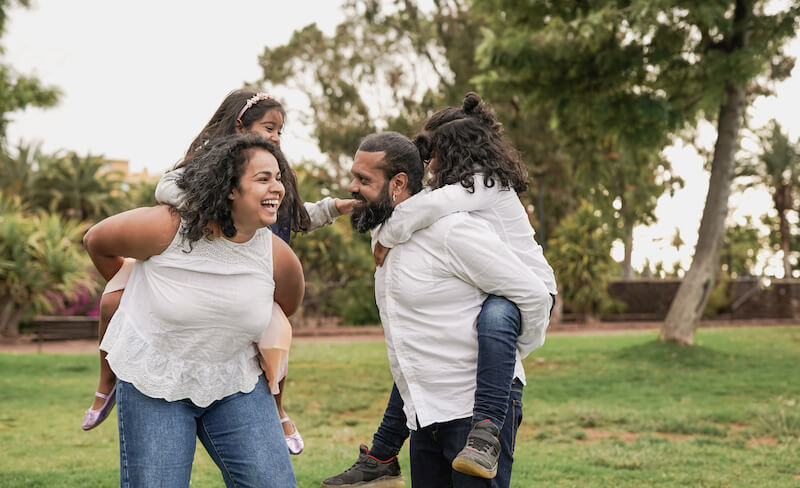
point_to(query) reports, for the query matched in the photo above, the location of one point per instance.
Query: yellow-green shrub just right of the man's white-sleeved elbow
(580, 253)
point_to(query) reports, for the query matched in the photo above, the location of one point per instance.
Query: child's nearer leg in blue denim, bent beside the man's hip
(498, 329)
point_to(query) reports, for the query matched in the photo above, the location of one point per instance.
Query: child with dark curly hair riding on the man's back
(473, 168)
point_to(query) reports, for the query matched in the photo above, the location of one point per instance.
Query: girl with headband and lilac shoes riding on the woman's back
(242, 111)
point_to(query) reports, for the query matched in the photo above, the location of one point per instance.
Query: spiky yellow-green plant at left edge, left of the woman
(39, 254)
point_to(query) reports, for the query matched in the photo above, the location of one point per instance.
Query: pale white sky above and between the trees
(140, 79)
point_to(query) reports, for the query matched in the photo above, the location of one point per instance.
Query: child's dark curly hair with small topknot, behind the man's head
(469, 140)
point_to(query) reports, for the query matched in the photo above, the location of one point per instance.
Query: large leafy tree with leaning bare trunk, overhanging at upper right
(639, 71)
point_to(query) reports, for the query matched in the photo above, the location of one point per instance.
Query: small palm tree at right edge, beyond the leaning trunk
(777, 168)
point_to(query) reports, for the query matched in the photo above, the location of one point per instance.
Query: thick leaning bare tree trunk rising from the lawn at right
(687, 307)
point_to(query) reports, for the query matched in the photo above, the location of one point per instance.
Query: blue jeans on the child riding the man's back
(498, 328)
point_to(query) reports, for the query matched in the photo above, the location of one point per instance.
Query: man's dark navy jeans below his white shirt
(434, 447)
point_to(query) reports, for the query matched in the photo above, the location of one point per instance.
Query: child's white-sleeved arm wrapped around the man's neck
(427, 207)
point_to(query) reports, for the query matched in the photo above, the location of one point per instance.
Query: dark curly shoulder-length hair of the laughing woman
(211, 177)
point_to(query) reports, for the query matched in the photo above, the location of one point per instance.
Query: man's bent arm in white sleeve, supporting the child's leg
(478, 256)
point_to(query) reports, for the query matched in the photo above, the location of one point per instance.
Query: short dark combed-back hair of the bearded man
(401, 156)
